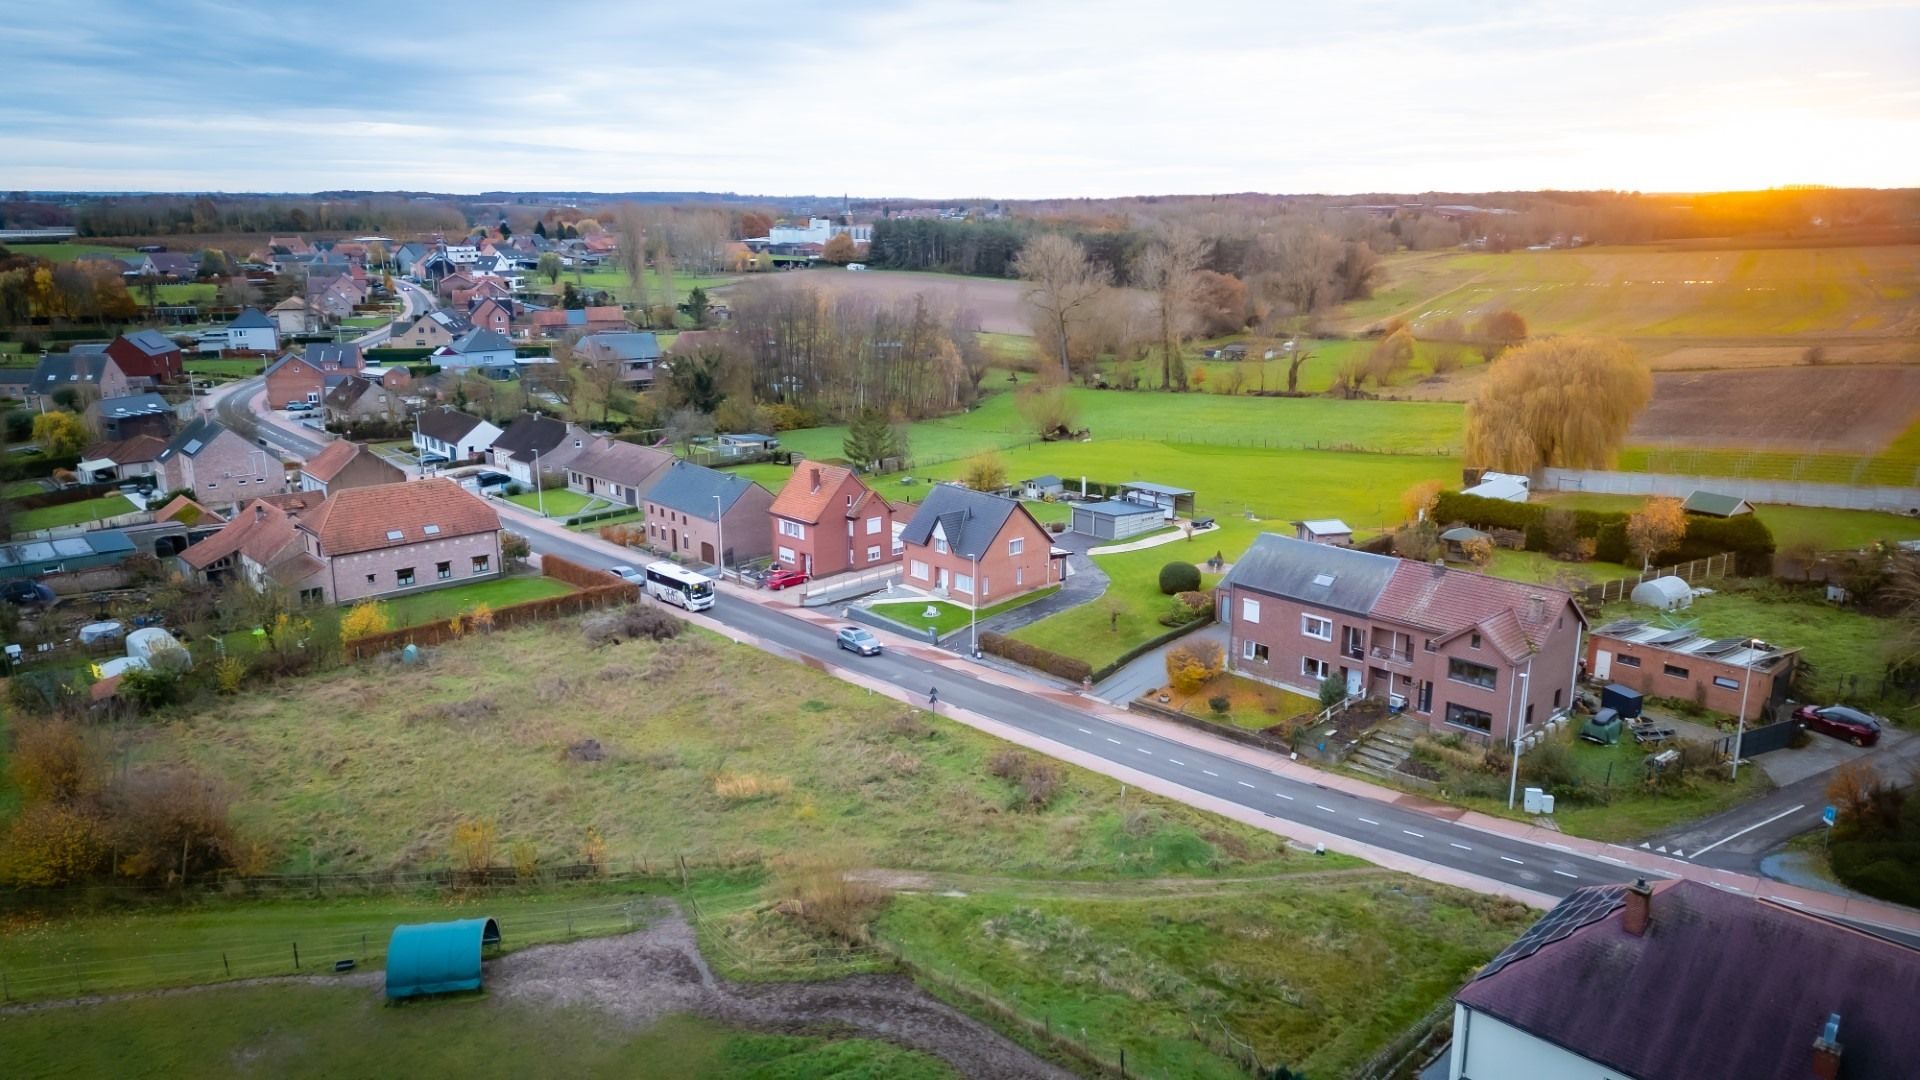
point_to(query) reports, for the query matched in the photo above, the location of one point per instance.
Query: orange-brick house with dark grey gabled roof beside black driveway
(957, 533)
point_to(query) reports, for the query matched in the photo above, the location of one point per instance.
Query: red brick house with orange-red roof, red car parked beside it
(827, 522)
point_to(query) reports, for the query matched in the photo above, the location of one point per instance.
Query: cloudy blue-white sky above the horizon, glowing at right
(932, 99)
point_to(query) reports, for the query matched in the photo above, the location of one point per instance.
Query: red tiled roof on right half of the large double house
(1451, 602)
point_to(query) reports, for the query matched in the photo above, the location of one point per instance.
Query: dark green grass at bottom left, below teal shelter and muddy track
(312, 1031)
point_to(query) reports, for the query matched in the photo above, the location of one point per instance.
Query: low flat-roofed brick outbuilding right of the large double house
(1719, 674)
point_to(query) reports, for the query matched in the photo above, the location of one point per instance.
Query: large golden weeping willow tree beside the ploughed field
(1560, 403)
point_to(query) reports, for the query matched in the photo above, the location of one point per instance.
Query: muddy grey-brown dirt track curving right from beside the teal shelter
(660, 971)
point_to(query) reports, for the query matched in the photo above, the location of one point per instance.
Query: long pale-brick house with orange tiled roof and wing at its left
(358, 545)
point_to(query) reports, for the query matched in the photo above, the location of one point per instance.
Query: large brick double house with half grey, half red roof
(1452, 647)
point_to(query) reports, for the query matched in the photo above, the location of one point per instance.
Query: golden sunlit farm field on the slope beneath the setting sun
(1666, 291)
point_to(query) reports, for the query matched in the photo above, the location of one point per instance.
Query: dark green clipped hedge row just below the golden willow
(1746, 537)
